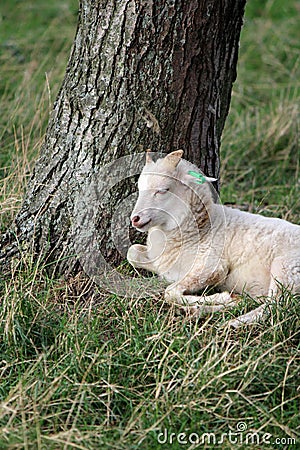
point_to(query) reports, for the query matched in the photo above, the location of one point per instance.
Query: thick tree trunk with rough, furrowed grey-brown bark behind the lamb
(141, 74)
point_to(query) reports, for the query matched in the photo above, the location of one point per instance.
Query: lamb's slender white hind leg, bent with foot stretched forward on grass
(278, 276)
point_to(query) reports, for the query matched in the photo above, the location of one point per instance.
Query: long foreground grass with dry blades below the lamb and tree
(114, 374)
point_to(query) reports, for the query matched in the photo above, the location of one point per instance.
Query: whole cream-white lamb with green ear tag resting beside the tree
(195, 243)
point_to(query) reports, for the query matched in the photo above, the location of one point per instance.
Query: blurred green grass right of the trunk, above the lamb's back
(260, 152)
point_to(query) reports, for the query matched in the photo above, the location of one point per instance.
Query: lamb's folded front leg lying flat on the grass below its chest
(198, 305)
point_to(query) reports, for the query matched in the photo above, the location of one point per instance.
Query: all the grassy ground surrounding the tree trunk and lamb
(78, 373)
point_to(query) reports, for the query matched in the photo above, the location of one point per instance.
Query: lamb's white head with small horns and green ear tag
(167, 193)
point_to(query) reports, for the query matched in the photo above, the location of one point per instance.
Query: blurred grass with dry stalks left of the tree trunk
(35, 42)
